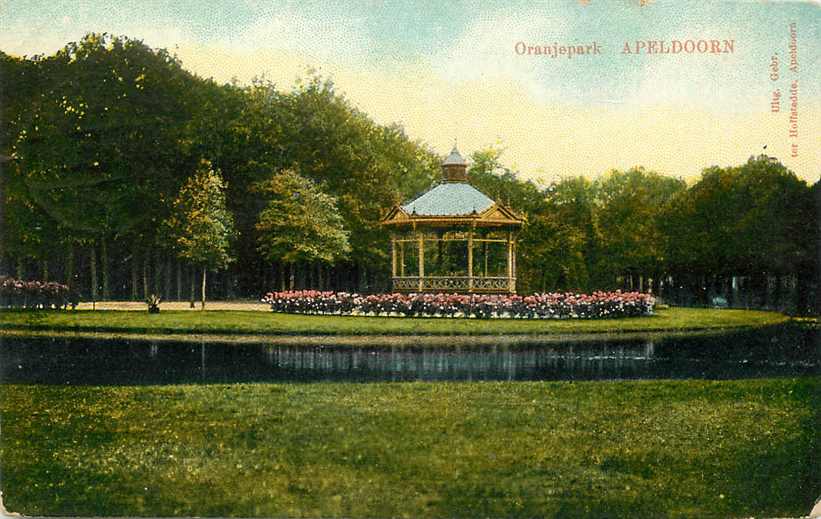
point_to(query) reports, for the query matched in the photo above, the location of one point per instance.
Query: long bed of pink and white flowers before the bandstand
(598, 305)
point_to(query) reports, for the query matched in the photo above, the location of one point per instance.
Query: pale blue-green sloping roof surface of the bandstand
(449, 199)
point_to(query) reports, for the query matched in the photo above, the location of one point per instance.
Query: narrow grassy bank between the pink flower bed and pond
(265, 323)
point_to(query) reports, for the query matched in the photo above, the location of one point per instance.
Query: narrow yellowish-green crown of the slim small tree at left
(200, 226)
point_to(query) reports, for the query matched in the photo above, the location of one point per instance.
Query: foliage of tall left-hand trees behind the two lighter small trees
(102, 132)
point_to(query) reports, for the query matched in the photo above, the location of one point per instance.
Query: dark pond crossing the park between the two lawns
(784, 351)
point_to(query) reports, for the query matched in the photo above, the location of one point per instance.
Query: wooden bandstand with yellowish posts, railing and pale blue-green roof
(453, 238)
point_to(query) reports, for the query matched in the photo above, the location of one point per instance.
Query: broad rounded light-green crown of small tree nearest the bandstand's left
(300, 223)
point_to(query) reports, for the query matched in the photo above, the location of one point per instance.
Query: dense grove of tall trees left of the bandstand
(103, 136)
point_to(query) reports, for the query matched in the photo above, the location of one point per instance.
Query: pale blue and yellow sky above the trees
(448, 70)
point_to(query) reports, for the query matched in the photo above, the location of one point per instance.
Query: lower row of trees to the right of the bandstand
(747, 234)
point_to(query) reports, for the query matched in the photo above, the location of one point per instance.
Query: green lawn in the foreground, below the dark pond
(597, 449)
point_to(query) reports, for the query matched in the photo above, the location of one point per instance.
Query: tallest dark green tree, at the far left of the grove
(98, 149)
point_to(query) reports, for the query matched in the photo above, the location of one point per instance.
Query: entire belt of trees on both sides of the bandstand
(125, 175)
